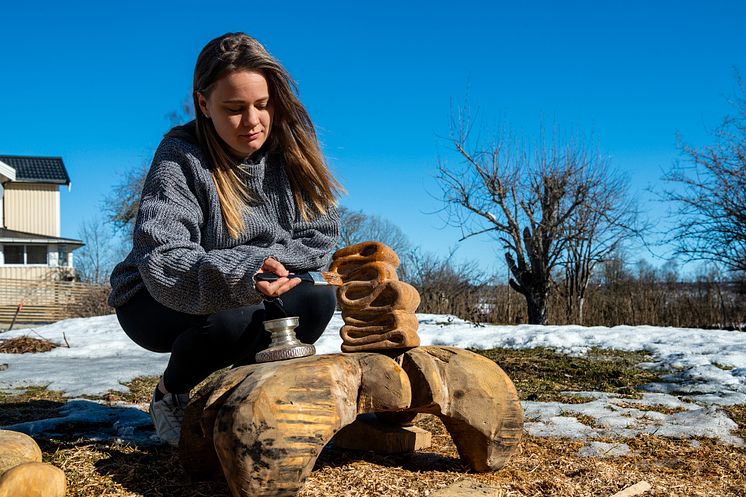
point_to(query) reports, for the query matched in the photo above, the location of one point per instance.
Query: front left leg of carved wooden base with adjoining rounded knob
(272, 427)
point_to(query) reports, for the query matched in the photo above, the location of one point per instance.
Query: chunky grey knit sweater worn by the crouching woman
(182, 252)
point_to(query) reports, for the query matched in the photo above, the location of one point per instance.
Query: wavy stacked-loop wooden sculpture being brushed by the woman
(377, 308)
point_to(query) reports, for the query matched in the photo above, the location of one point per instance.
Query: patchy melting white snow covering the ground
(709, 371)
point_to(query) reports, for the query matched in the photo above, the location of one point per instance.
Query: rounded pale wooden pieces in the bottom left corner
(22, 474)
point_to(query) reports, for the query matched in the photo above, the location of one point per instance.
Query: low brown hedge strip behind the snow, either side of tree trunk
(647, 299)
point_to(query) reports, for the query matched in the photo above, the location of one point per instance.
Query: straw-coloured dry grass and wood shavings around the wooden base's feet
(540, 467)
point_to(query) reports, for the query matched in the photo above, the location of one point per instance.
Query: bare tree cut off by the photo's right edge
(708, 189)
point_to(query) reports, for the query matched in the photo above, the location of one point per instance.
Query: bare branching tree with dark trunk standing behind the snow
(545, 208)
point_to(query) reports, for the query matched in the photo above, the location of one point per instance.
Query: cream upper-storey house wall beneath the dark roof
(32, 208)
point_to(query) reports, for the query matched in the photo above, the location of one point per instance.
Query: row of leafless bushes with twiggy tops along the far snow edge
(616, 296)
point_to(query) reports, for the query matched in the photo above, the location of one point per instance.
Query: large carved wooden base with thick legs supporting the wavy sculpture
(263, 426)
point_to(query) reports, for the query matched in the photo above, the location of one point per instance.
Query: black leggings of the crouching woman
(200, 345)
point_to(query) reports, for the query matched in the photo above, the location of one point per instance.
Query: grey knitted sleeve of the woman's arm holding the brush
(174, 267)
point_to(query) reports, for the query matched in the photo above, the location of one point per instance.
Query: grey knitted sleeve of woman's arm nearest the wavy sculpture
(312, 242)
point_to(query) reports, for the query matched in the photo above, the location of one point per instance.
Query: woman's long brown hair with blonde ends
(293, 138)
